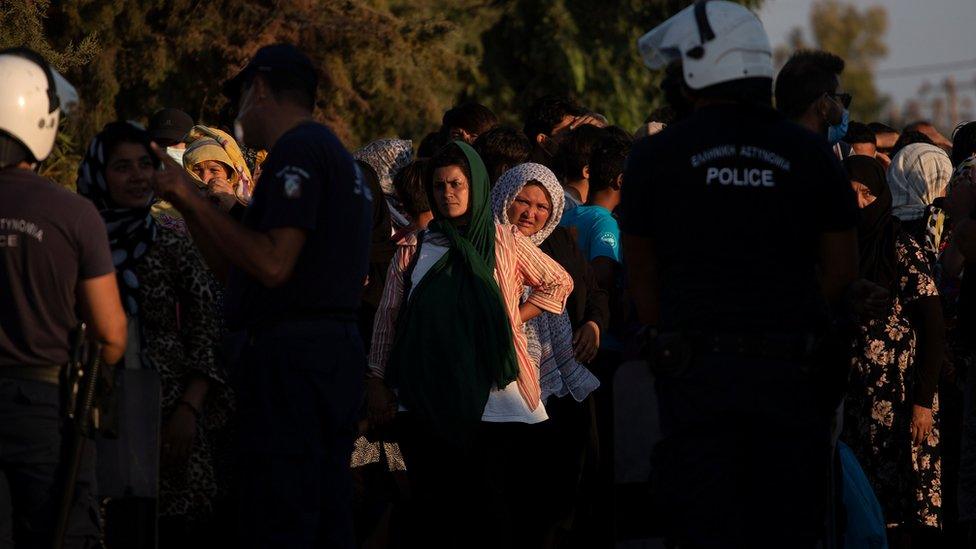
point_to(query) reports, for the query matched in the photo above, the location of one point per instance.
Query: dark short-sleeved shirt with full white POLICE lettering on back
(735, 199)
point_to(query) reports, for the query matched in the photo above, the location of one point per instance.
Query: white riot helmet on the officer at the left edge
(33, 97)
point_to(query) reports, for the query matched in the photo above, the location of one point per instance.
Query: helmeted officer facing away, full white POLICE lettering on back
(739, 230)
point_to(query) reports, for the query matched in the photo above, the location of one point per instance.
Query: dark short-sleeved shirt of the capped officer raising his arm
(309, 181)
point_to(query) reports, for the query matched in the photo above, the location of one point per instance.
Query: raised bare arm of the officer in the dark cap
(269, 257)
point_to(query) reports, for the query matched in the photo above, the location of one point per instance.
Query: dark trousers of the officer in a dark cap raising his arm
(299, 390)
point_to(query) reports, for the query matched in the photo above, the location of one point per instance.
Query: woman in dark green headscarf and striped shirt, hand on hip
(448, 339)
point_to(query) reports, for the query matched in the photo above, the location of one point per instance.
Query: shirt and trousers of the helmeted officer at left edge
(50, 241)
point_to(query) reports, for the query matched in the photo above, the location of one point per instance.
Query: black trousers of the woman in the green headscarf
(485, 496)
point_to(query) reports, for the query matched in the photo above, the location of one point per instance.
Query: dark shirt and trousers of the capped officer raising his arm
(301, 368)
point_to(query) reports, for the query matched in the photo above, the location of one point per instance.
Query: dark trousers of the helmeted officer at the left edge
(30, 452)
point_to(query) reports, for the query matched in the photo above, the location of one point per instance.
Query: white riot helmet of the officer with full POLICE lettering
(716, 41)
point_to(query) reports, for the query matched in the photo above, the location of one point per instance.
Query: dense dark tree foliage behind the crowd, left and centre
(390, 67)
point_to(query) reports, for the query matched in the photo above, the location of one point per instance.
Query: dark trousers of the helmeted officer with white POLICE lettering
(744, 459)
